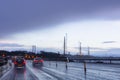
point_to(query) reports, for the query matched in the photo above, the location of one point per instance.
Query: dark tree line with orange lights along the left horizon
(30, 55)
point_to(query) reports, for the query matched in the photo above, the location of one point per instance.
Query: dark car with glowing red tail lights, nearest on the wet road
(19, 62)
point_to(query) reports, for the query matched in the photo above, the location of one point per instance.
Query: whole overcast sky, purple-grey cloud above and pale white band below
(44, 23)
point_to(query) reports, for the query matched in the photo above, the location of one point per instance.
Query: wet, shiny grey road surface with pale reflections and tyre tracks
(75, 71)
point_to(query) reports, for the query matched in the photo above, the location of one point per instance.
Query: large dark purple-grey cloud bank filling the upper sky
(24, 15)
